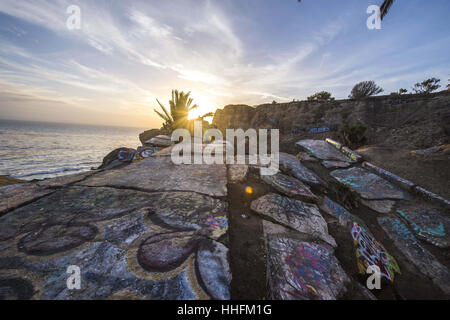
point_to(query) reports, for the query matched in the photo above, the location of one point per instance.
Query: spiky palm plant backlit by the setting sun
(180, 106)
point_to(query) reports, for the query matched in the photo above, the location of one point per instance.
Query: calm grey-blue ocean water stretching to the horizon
(39, 150)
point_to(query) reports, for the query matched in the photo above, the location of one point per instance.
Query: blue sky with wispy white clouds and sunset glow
(126, 54)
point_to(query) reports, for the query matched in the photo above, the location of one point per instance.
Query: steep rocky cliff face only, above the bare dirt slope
(413, 121)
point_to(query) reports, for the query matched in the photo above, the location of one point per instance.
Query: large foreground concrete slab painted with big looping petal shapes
(128, 244)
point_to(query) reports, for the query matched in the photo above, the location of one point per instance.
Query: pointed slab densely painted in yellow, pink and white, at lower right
(370, 252)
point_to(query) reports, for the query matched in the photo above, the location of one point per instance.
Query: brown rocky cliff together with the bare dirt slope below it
(396, 127)
